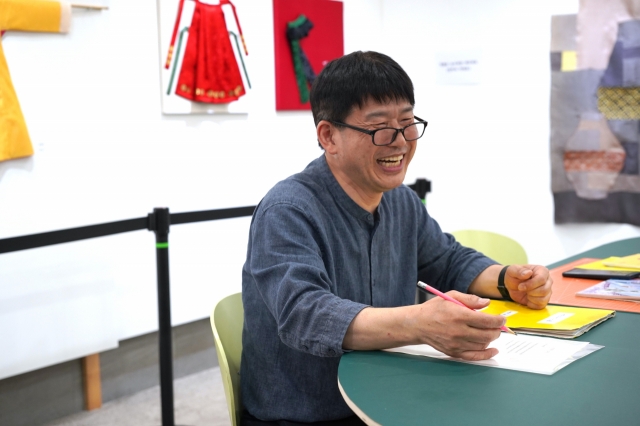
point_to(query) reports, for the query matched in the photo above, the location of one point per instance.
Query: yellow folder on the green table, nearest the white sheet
(566, 322)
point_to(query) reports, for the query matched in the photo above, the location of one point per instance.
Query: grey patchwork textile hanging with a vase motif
(595, 113)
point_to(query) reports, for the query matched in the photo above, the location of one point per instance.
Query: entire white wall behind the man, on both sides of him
(104, 152)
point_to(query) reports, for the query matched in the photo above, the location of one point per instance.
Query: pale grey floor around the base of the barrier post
(198, 400)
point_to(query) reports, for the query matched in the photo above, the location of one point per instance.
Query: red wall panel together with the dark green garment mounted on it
(307, 35)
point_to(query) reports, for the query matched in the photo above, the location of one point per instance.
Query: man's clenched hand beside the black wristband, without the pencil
(529, 285)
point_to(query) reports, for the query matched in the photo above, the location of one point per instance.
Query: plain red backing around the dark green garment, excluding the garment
(324, 43)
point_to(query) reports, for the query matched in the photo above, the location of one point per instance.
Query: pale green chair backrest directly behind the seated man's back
(227, 320)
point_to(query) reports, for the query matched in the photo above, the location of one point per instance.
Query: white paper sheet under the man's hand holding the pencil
(533, 354)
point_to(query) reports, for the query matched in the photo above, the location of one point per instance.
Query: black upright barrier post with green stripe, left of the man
(159, 222)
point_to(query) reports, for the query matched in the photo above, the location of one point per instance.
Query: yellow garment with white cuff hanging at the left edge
(23, 15)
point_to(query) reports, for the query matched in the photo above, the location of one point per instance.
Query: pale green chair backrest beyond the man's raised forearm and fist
(496, 246)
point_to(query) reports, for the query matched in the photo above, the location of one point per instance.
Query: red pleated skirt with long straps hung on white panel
(209, 71)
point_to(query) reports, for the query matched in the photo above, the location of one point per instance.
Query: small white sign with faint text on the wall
(458, 67)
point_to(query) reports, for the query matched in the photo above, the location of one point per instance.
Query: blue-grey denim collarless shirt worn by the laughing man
(314, 260)
